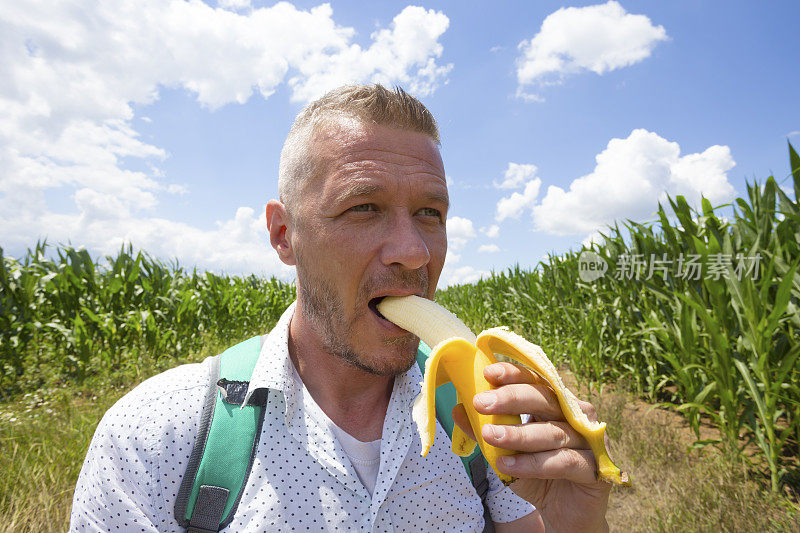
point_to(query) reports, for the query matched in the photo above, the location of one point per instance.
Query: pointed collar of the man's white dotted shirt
(274, 367)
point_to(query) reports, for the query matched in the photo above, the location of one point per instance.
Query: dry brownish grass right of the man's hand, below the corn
(677, 487)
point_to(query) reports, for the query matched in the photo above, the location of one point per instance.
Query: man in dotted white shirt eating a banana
(362, 212)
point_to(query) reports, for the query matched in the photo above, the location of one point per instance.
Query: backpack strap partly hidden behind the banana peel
(474, 464)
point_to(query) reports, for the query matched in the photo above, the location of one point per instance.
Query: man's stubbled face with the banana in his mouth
(371, 223)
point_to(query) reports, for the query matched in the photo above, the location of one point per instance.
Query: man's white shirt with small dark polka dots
(301, 479)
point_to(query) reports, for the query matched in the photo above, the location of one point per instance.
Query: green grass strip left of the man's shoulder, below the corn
(44, 437)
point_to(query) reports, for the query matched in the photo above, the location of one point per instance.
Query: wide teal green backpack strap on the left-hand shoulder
(225, 446)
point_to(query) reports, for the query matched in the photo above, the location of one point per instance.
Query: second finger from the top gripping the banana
(518, 399)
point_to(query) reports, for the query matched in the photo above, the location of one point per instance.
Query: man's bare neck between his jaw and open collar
(353, 399)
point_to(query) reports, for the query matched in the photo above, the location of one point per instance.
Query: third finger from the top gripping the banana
(534, 437)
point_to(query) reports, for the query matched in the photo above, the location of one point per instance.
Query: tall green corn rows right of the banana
(722, 348)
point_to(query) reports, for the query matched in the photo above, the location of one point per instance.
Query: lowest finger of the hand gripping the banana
(573, 465)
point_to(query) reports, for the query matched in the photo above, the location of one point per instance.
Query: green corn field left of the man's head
(71, 316)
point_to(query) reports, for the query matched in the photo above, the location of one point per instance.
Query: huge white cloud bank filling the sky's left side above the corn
(72, 75)
